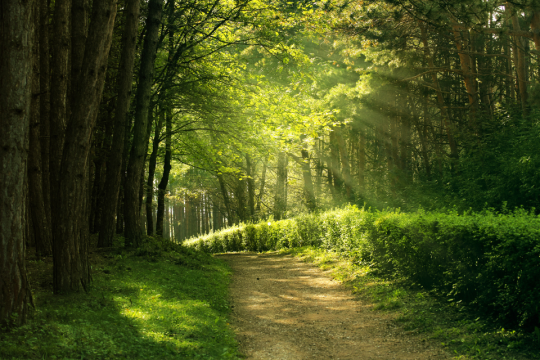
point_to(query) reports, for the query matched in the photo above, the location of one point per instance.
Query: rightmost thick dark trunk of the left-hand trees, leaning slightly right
(133, 231)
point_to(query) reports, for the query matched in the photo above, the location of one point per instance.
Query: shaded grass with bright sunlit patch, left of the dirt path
(158, 303)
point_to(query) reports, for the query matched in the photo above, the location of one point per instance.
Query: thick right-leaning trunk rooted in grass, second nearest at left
(71, 270)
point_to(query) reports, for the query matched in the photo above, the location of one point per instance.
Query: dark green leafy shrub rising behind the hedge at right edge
(501, 169)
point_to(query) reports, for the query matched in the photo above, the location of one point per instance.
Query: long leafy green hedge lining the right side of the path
(487, 260)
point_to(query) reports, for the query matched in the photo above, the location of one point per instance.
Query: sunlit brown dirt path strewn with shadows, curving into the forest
(287, 309)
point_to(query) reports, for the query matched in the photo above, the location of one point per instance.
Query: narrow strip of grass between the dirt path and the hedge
(417, 311)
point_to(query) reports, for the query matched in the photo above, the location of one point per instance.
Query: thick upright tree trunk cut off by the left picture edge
(15, 97)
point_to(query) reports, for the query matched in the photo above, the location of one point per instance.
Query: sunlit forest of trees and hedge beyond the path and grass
(201, 124)
